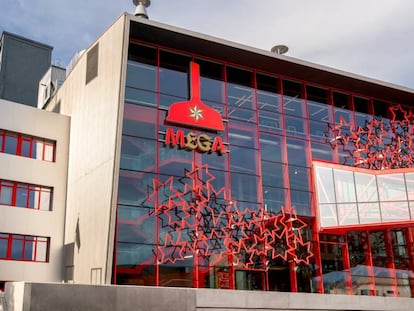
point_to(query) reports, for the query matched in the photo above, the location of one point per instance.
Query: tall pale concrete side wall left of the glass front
(94, 108)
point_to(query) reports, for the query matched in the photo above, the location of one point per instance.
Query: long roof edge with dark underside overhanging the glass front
(201, 44)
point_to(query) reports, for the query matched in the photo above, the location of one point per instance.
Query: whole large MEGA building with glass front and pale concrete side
(197, 162)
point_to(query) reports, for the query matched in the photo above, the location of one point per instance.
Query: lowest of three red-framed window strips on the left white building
(24, 247)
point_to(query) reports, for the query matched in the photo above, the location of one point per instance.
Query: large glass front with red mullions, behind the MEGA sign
(274, 128)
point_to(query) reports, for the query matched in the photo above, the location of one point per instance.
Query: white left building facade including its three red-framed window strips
(32, 193)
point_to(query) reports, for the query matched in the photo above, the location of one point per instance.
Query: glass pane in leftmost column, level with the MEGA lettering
(138, 154)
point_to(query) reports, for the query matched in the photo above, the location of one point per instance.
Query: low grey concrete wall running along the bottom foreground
(36, 297)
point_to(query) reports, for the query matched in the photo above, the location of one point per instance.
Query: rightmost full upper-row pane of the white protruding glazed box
(391, 187)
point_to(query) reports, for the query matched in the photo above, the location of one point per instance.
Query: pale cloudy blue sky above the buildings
(372, 38)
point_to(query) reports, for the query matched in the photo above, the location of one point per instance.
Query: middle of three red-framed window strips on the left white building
(25, 195)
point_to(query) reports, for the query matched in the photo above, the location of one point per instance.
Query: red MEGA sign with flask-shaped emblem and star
(196, 115)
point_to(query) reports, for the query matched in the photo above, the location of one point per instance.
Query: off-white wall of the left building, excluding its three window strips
(35, 122)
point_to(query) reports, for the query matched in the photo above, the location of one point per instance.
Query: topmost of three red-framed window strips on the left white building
(27, 146)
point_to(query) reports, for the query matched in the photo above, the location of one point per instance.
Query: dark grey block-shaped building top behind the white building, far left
(23, 62)
